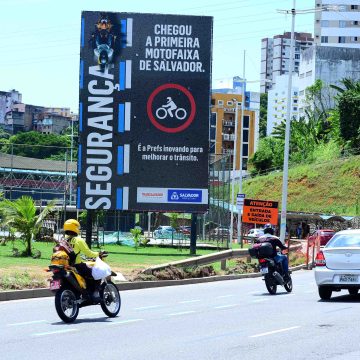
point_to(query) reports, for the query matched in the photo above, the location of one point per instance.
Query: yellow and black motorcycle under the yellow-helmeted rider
(72, 290)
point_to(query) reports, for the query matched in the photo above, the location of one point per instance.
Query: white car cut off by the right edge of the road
(338, 264)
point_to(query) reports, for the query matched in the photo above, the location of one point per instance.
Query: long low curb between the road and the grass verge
(38, 293)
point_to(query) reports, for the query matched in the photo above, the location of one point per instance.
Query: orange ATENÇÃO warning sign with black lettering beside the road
(260, 212)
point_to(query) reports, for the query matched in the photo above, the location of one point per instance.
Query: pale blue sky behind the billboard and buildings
(40, 40)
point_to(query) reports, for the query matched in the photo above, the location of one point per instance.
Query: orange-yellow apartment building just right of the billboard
(222, 128)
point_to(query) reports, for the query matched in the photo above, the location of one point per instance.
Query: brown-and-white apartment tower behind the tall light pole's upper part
(275, 55)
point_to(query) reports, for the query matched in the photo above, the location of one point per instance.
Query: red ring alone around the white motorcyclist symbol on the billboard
(162, 127)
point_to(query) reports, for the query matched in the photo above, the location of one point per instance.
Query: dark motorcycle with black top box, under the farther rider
(271, 271)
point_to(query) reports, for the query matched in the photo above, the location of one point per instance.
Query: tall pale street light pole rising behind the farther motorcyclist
(287, 131)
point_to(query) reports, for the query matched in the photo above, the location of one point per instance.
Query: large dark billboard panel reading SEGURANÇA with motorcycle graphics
(144, 112)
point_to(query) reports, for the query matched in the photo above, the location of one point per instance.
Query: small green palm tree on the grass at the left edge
(21, 215)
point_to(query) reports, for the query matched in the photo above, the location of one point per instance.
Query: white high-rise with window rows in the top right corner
(338, 24)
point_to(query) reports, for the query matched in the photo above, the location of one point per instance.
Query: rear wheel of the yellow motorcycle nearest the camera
(66, 305)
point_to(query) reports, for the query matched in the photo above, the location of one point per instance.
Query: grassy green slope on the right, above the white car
(330, 188)
